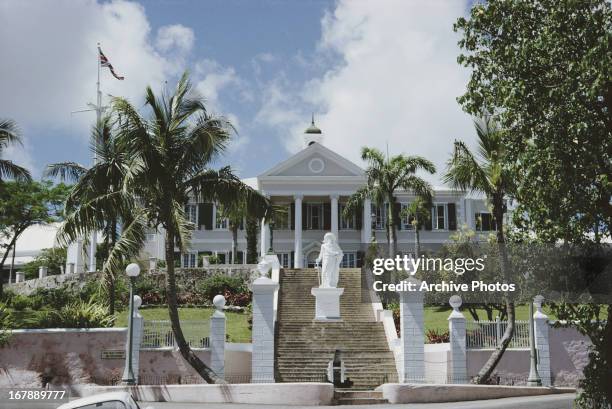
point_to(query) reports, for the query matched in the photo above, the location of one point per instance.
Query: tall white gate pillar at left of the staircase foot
(262, 364)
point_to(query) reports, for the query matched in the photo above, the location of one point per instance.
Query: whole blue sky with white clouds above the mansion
(373, 72)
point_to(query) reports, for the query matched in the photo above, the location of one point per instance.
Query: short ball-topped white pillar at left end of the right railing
(458, 350)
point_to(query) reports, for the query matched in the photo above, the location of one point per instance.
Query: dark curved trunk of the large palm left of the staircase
(196, 363)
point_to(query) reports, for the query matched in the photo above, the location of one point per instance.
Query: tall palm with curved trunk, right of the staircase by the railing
(483, 172)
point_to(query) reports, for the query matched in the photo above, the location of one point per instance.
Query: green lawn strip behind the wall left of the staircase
(237, 325)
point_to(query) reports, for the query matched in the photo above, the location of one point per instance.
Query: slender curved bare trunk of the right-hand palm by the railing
(488, 368)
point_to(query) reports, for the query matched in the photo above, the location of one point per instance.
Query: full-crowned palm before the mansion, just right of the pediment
(384, 177)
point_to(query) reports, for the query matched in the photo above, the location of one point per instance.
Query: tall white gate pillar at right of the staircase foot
(412, 334)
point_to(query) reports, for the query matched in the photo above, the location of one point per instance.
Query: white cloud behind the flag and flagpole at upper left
(49, 60)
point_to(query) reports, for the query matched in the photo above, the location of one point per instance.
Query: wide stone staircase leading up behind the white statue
(305, 347)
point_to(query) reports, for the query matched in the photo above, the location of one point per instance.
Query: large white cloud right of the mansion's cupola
(397, 82)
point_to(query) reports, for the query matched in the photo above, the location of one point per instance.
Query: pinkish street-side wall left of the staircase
(34, 358)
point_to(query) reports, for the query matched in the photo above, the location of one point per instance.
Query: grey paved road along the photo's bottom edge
(563, 401)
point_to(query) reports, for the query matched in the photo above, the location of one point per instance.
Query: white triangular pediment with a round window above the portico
(315, 160)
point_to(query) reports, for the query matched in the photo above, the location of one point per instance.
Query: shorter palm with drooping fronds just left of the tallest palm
(101, 185)
